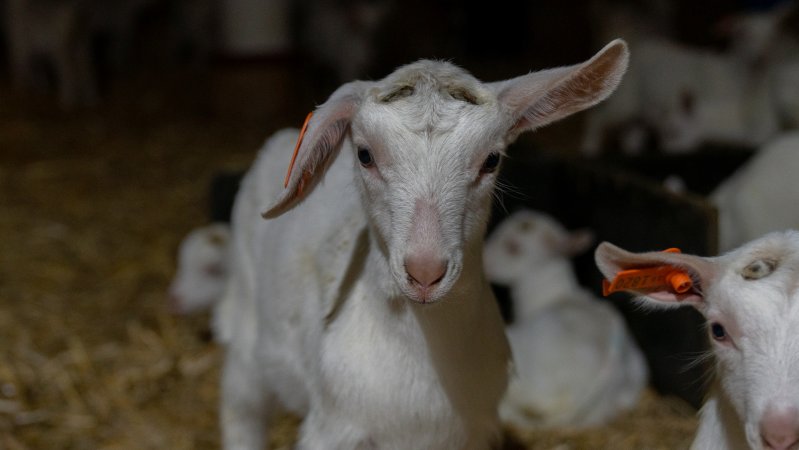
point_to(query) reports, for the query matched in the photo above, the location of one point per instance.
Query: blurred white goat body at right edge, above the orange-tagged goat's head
(759, 197)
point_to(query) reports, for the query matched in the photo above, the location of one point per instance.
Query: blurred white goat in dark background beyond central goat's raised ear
(688, 97)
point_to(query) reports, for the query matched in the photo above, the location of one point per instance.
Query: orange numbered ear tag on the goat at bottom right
(650, 279)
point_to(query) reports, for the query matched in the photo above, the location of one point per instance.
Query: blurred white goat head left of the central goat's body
(201, 269)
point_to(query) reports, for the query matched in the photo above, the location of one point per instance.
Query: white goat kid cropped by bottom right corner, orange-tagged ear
(750, 300)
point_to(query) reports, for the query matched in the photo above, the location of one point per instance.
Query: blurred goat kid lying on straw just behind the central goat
(576, 364)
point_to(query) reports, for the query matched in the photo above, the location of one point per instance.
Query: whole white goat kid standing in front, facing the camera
(367, 308)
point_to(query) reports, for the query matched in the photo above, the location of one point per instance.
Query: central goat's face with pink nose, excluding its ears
(427, 162)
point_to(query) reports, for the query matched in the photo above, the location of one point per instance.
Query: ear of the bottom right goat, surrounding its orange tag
(611, 260)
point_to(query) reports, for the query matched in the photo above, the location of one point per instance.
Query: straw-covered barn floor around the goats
(92, 206)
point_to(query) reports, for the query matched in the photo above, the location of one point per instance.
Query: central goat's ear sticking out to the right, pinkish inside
(543, 97)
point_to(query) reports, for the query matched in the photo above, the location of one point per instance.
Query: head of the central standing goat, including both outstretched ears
(427, 141)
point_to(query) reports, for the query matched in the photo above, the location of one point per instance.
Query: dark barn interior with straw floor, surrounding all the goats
(96, 193)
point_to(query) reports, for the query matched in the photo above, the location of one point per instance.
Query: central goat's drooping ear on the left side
(326, 130)
